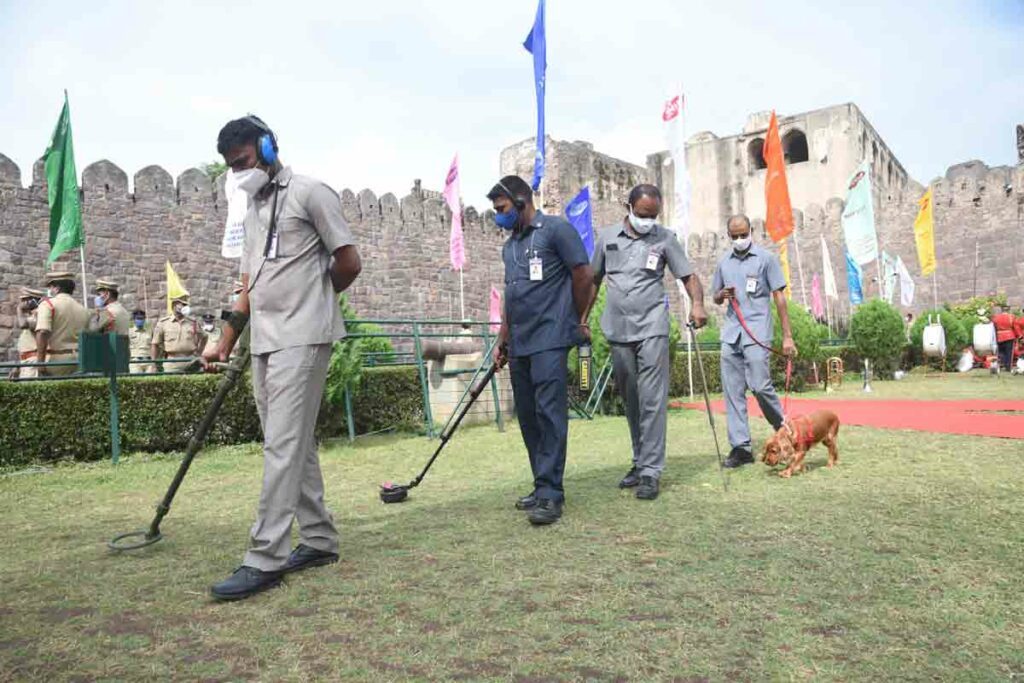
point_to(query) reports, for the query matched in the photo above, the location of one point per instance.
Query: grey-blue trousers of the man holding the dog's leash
(743, 368)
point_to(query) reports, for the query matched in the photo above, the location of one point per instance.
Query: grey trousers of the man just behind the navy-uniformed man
(643, 374)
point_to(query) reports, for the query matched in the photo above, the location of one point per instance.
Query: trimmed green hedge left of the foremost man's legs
(46, 421)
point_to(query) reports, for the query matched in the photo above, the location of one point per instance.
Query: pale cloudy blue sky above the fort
(376, 95)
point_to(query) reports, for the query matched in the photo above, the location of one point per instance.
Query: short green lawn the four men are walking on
(905, 563)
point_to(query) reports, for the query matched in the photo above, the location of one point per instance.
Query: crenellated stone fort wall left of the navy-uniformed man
(131, 236)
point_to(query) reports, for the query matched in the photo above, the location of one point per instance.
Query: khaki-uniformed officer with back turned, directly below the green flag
(59, 321)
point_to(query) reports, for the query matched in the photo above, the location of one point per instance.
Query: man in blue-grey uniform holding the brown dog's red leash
(749, 277)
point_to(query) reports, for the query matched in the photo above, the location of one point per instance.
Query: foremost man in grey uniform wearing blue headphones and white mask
(298, 253)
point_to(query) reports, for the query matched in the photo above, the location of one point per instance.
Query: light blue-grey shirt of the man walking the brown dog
(755, 275)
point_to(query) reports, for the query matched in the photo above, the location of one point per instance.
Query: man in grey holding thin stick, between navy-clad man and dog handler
(632, 255)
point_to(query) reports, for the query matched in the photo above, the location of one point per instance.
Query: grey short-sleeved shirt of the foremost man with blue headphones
(292, 302)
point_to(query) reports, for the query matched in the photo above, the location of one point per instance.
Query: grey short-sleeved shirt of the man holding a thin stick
(635, 306)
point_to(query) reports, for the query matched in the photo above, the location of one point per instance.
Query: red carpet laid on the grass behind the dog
(984, 418)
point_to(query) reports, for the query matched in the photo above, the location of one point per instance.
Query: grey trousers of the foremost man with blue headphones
(288, 386)
